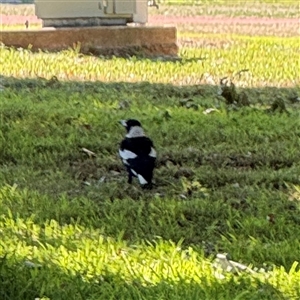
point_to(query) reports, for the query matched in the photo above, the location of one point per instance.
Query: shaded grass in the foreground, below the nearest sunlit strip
(21, 282)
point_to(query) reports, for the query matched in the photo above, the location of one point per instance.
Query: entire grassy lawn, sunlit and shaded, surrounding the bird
(227, 178)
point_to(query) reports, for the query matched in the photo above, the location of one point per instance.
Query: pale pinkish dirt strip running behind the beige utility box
(214, 24)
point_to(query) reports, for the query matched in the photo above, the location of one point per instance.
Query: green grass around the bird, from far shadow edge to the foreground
(218, 177)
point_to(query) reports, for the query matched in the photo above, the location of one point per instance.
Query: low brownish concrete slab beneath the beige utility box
(154, 41)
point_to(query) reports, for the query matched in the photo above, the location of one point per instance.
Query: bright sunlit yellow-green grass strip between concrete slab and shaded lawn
(270, 61)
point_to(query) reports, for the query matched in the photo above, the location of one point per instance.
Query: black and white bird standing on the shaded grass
(137, 153)
